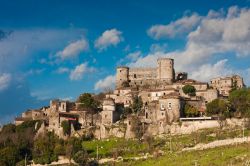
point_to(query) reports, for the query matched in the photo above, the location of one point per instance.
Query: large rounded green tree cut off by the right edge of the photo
(240, 101)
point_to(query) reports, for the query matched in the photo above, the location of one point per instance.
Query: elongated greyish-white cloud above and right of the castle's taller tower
(180, 26)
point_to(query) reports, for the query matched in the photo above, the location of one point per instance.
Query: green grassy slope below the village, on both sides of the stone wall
(172, 146)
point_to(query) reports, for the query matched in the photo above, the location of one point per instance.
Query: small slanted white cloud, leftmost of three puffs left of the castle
(73, 49)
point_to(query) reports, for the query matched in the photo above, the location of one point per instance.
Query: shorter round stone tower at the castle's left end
(121, 75)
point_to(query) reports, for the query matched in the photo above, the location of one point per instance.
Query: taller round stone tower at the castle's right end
(165, 70)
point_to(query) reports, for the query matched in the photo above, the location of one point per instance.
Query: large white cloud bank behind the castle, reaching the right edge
(216, 34)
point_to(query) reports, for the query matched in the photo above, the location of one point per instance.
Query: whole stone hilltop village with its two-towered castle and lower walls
(160, 91)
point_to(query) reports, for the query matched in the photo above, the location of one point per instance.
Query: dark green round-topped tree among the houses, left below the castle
(88, 103)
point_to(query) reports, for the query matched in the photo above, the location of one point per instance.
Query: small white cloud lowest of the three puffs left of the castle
(79, 71)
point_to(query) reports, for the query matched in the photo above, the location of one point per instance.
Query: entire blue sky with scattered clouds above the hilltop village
(59, 49)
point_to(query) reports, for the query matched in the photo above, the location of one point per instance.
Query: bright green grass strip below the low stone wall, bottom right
(227, 155)
